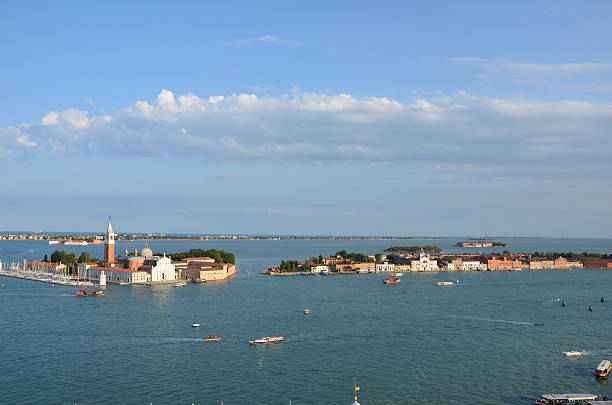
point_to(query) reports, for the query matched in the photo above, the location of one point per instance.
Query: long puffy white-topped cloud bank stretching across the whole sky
(459, 130)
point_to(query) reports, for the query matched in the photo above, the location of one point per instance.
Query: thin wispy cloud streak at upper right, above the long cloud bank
(500, 64)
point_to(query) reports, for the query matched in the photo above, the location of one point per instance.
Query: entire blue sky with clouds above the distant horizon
(328, 118)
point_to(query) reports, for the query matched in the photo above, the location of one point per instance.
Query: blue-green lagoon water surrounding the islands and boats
(472, 343)
